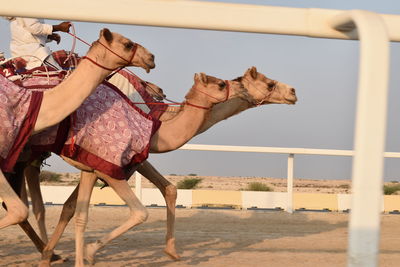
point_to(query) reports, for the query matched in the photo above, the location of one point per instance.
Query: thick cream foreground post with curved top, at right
(370, 133)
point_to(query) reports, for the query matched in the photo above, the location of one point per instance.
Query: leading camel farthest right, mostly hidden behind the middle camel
(259, 90)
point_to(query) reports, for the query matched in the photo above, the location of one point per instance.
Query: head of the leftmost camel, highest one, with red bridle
(115, 50)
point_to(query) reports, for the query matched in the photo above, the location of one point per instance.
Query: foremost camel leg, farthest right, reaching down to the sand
(169, 192)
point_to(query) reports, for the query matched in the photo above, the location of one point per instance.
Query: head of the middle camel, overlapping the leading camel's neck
(210, 90)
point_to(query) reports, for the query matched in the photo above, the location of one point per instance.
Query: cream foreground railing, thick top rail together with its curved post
(373, 30)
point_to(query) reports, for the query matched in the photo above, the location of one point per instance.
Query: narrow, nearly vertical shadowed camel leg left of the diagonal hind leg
(32, 179)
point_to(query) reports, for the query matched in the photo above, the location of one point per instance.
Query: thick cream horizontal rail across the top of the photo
(311, 22)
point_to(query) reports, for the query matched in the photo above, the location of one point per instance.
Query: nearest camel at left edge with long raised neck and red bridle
(44, 109)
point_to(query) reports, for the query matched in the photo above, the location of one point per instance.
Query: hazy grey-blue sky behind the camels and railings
(323, 71)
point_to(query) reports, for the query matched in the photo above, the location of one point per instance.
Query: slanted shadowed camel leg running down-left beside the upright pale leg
(66, 215)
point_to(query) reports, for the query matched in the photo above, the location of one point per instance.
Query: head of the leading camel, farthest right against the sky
(262, 90)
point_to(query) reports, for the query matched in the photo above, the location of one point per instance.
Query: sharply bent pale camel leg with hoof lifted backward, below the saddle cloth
(138, 214)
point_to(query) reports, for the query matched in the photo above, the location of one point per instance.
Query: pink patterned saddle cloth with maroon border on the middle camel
(108, 132)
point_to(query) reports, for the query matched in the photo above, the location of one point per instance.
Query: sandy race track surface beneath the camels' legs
(212, 238)
